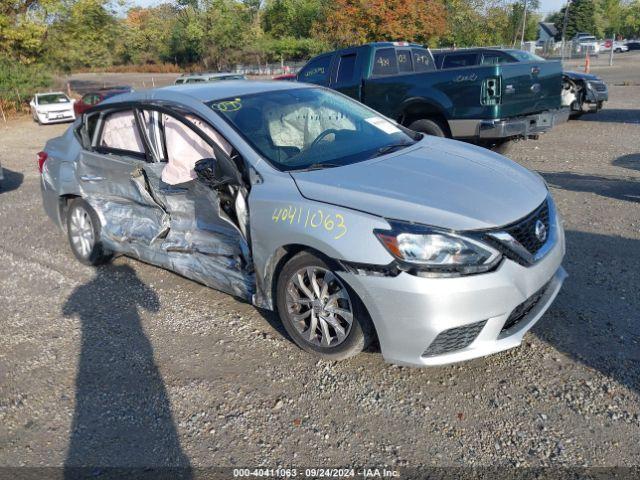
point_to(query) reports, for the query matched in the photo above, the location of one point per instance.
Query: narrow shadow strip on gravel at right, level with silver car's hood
(626, 189)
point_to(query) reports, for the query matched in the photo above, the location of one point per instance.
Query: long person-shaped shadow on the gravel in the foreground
(122, 419)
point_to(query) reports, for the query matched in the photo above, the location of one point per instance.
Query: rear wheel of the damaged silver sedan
(83, 230)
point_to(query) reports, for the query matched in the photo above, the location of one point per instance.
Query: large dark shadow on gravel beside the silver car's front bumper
(595, 317)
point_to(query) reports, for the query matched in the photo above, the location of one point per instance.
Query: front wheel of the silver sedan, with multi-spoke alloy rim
(320, 312)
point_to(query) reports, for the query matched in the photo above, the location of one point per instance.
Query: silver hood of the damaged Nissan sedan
(438, 182)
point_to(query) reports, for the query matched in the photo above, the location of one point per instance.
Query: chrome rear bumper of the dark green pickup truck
(519, 127)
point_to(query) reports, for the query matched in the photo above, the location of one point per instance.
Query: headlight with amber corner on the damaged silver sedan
(438, 251)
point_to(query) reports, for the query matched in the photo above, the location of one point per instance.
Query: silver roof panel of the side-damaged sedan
(207, 92)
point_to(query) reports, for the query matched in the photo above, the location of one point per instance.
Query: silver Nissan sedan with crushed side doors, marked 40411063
(300, 200)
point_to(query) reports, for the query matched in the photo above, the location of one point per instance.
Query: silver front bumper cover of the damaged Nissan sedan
(410, 312)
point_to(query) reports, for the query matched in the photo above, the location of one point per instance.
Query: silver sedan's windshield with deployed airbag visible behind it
(309, 128)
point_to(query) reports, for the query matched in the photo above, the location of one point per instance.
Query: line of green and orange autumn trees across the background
(216, 34)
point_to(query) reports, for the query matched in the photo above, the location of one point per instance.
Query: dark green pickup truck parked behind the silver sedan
(485, 104)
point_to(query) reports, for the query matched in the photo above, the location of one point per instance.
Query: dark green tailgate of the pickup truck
(530, 87)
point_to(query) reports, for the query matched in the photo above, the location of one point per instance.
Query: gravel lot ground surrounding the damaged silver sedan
(130, 365)
